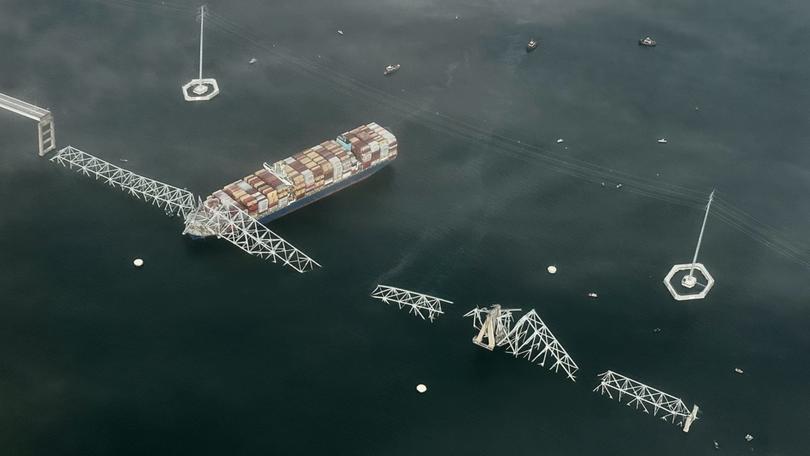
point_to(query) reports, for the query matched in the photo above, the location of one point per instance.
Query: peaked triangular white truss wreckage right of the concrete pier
(530, 338)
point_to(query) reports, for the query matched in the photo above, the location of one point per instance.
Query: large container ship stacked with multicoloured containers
(277, 189)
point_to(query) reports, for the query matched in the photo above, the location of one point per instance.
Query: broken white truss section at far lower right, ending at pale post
(647, 398)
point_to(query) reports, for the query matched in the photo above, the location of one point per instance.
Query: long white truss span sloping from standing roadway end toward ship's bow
(173, 200)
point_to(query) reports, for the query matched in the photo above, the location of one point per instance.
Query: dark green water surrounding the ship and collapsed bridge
(208, 351)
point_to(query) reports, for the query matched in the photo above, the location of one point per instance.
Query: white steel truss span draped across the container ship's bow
(236, 226)
